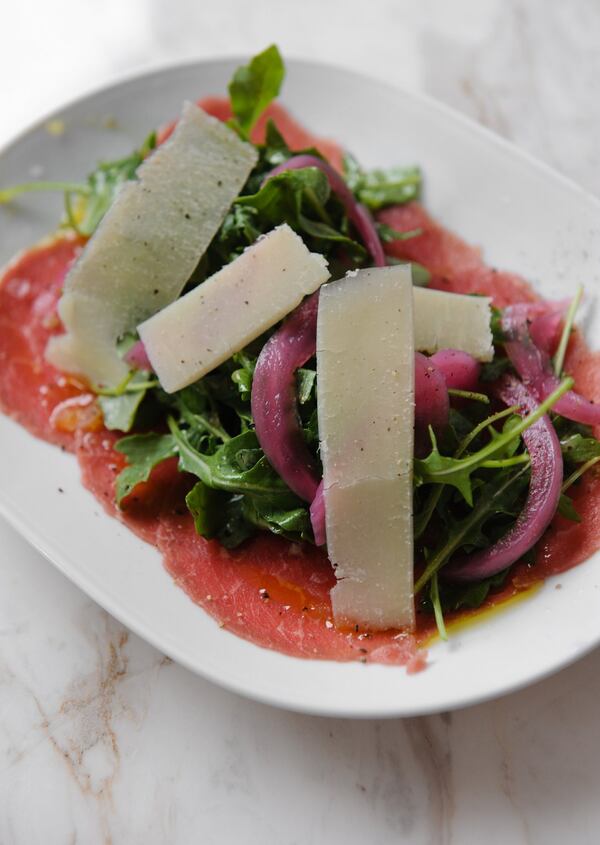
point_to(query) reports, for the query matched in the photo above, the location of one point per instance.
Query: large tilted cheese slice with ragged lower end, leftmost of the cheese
(149, 242)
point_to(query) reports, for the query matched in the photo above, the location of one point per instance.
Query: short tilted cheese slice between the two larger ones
(198, 332)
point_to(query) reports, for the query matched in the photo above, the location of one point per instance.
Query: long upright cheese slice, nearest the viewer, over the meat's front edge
(365, 366)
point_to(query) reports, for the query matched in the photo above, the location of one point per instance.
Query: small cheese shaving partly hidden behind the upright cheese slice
(453, 321)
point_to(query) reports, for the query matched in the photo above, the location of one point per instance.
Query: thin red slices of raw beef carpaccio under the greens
(269, 590)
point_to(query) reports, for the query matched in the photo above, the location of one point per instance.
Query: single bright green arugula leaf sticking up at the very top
(254, 86)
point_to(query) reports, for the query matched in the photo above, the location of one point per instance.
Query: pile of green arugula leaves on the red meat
(469, 488)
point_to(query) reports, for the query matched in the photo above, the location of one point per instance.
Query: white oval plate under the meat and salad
(527, 219)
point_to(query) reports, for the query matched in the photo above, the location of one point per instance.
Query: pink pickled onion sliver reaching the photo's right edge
(534, 367)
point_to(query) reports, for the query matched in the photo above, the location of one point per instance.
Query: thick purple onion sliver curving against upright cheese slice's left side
(274, 402)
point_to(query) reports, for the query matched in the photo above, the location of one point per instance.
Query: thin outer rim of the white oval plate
(452, 702)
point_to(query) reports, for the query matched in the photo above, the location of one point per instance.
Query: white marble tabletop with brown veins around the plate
(102, 738)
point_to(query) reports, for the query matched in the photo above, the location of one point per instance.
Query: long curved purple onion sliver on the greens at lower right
(542, 500)
